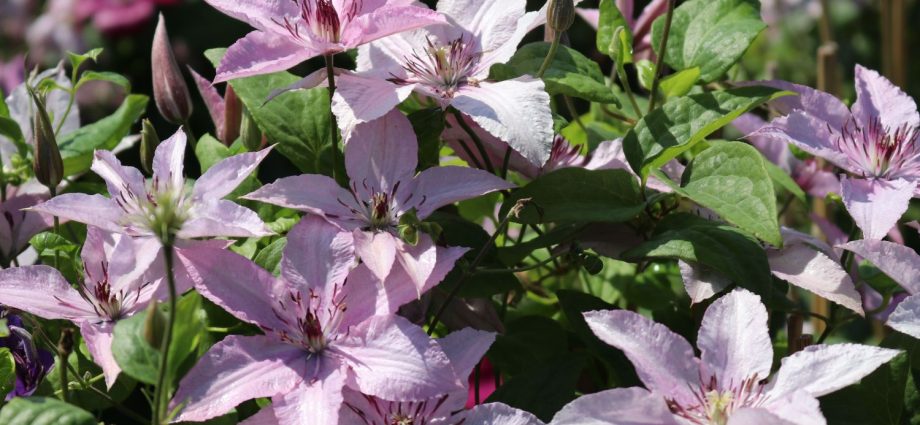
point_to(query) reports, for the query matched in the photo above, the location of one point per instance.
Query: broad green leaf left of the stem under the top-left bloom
(298, 121)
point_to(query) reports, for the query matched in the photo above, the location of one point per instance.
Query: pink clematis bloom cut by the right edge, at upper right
(876, 142)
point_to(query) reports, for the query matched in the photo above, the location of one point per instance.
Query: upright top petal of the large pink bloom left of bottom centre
(318, 255)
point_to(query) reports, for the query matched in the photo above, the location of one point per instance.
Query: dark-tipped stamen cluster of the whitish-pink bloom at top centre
(443, 68)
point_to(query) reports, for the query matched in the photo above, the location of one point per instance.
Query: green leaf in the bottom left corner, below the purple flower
(44, 411)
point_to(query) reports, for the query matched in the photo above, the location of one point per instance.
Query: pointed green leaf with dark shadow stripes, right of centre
(680, 124)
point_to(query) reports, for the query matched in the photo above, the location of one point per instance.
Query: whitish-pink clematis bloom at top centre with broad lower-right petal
(450, 63)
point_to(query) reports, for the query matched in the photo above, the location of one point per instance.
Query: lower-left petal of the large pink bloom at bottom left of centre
(237, 369)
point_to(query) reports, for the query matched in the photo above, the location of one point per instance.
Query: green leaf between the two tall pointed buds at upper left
(77, 147)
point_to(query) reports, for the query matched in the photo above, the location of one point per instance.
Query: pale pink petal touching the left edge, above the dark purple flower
(42, 291)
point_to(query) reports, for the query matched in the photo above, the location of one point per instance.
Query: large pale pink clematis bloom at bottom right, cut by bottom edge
(726, 385)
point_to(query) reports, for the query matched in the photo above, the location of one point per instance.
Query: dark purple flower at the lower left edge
(32, 363)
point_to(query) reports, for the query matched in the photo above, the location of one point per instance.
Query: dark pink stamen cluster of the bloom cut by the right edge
(880, 151)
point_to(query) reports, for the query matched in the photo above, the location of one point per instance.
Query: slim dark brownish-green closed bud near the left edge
(47, 164)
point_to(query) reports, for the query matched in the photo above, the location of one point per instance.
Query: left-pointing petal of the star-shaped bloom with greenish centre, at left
(96, 210)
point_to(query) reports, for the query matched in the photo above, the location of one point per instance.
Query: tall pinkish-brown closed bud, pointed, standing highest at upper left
(169, 88)
